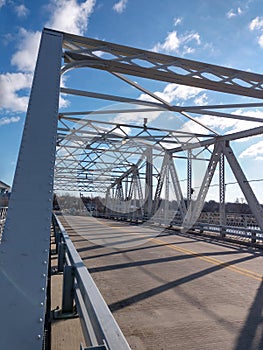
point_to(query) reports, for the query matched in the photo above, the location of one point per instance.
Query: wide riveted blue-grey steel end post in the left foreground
(26, 238)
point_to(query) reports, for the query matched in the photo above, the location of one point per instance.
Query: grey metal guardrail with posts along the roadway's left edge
(99, 327)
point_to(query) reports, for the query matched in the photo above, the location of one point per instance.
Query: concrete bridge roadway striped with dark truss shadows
(172, 291)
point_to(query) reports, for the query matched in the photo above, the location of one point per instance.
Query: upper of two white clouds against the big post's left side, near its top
(26, 55)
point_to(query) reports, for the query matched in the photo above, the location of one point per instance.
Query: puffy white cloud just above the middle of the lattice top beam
(173, 42)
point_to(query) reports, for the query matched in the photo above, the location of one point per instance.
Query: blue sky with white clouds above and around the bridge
(227, 33)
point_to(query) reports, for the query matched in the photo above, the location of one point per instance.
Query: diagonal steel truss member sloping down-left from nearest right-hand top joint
(196, 206)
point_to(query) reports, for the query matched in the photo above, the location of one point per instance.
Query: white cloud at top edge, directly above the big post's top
(70, 16)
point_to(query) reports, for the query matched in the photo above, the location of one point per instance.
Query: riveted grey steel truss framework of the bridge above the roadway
(137, 169)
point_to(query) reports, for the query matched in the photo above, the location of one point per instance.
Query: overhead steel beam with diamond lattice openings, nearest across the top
(87, 52)
